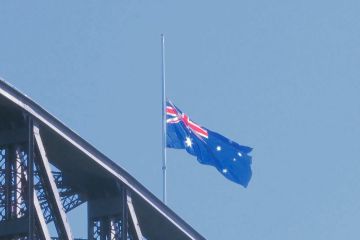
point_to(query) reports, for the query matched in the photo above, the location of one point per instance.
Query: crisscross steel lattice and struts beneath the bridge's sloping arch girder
(33, 194)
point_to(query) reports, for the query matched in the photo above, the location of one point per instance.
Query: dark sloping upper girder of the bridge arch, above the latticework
(90, 173)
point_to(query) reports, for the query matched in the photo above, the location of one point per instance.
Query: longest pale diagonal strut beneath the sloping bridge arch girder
(61, 220)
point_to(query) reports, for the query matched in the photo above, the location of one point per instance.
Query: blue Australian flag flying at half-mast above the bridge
(210, 148)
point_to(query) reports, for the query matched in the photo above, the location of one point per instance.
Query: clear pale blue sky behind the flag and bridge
(280, 76)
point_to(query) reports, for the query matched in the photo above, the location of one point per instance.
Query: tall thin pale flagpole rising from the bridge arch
(163, 116)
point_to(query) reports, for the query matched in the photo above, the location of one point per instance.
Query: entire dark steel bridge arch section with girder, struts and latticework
(46, 170)
